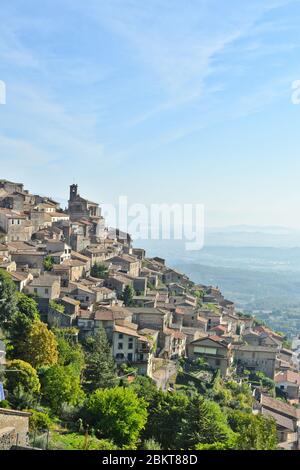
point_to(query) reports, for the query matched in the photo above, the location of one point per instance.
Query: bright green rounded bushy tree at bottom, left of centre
(117, 414)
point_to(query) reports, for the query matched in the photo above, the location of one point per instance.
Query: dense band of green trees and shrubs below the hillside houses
(78, 401)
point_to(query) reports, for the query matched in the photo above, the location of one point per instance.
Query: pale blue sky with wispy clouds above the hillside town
(164, 101)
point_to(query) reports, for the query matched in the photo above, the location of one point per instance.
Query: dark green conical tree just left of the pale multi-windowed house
(100, 369)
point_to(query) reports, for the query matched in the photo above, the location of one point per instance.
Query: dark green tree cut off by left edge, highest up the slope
(8, 299)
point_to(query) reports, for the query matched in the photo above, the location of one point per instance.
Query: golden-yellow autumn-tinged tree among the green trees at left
(40, 346)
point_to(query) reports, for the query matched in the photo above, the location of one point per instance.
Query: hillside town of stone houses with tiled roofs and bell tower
(159, 324)
